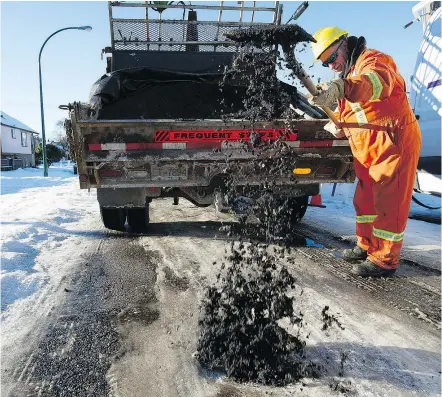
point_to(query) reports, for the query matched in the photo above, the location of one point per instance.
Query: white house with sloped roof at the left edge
(17, 144)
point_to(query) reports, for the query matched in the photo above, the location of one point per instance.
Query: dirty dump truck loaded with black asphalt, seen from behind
(158, 125)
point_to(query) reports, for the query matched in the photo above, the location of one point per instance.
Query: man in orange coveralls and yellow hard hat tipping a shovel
(385, 140)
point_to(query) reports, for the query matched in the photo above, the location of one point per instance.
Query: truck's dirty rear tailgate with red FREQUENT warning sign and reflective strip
(162, 153)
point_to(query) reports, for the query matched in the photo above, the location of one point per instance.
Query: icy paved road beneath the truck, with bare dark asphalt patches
(127, 319)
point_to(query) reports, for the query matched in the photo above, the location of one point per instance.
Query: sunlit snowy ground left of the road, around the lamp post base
(40, 218)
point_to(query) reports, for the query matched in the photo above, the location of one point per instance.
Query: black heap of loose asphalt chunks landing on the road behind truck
(240, 335)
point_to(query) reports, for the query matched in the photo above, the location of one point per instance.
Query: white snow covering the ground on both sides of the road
(44, 218)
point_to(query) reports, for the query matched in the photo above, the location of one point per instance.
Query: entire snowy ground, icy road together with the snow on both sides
(91, 312)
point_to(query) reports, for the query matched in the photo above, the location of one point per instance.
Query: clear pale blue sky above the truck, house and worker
(71, 60)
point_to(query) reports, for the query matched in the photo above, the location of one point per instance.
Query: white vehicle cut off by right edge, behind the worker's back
(426, 95)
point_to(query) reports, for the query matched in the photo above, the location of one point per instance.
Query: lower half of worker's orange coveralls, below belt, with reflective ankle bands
(385, 163)
